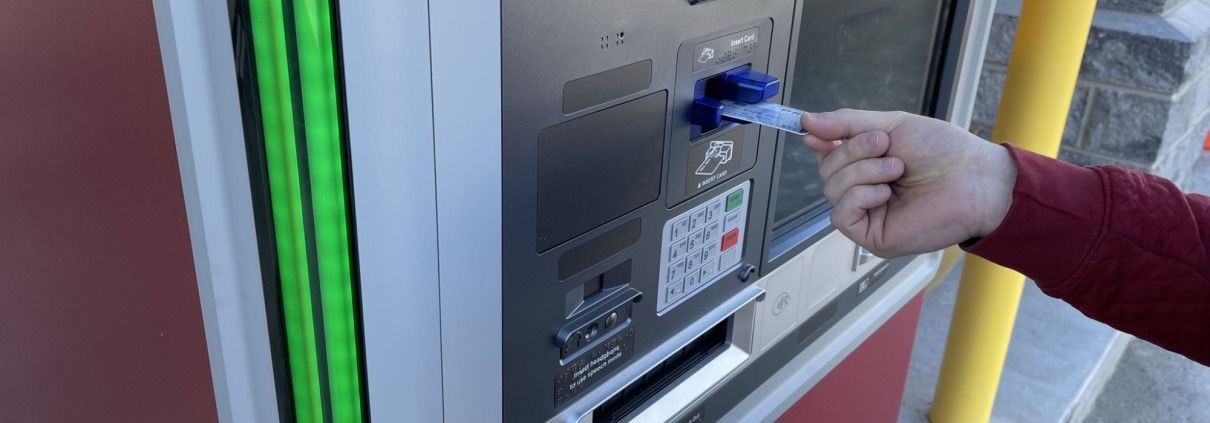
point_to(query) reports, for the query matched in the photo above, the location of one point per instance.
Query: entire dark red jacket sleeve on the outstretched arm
(1123, 247)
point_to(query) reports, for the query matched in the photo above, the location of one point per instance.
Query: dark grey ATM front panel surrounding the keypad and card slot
(598, 154)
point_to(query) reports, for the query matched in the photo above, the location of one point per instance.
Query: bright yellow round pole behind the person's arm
(1042, 72)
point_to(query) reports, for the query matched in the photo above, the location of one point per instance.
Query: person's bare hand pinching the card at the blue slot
(904, 184)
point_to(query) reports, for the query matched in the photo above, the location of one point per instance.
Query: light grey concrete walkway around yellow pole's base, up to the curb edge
(1053, 357)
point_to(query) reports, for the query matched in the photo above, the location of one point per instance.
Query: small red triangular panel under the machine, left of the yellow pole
(868, 386)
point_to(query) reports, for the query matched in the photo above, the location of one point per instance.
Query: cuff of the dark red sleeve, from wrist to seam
(1056, 218)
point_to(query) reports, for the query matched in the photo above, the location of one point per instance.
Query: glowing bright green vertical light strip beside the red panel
(322, 176)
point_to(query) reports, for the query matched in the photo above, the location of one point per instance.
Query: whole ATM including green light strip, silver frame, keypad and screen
(534, 211)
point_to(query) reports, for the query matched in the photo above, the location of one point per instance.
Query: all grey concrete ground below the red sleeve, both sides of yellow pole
(1064, 368)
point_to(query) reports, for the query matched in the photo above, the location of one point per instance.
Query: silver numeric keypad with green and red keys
(702, 246)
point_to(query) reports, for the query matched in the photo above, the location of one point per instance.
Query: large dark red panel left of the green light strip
(100, 317)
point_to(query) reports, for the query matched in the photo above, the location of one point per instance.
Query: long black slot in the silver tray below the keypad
(661, 376)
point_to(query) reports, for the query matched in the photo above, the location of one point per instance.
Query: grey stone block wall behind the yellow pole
(1143, 100)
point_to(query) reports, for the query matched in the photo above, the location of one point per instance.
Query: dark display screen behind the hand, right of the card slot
(875, 55)
